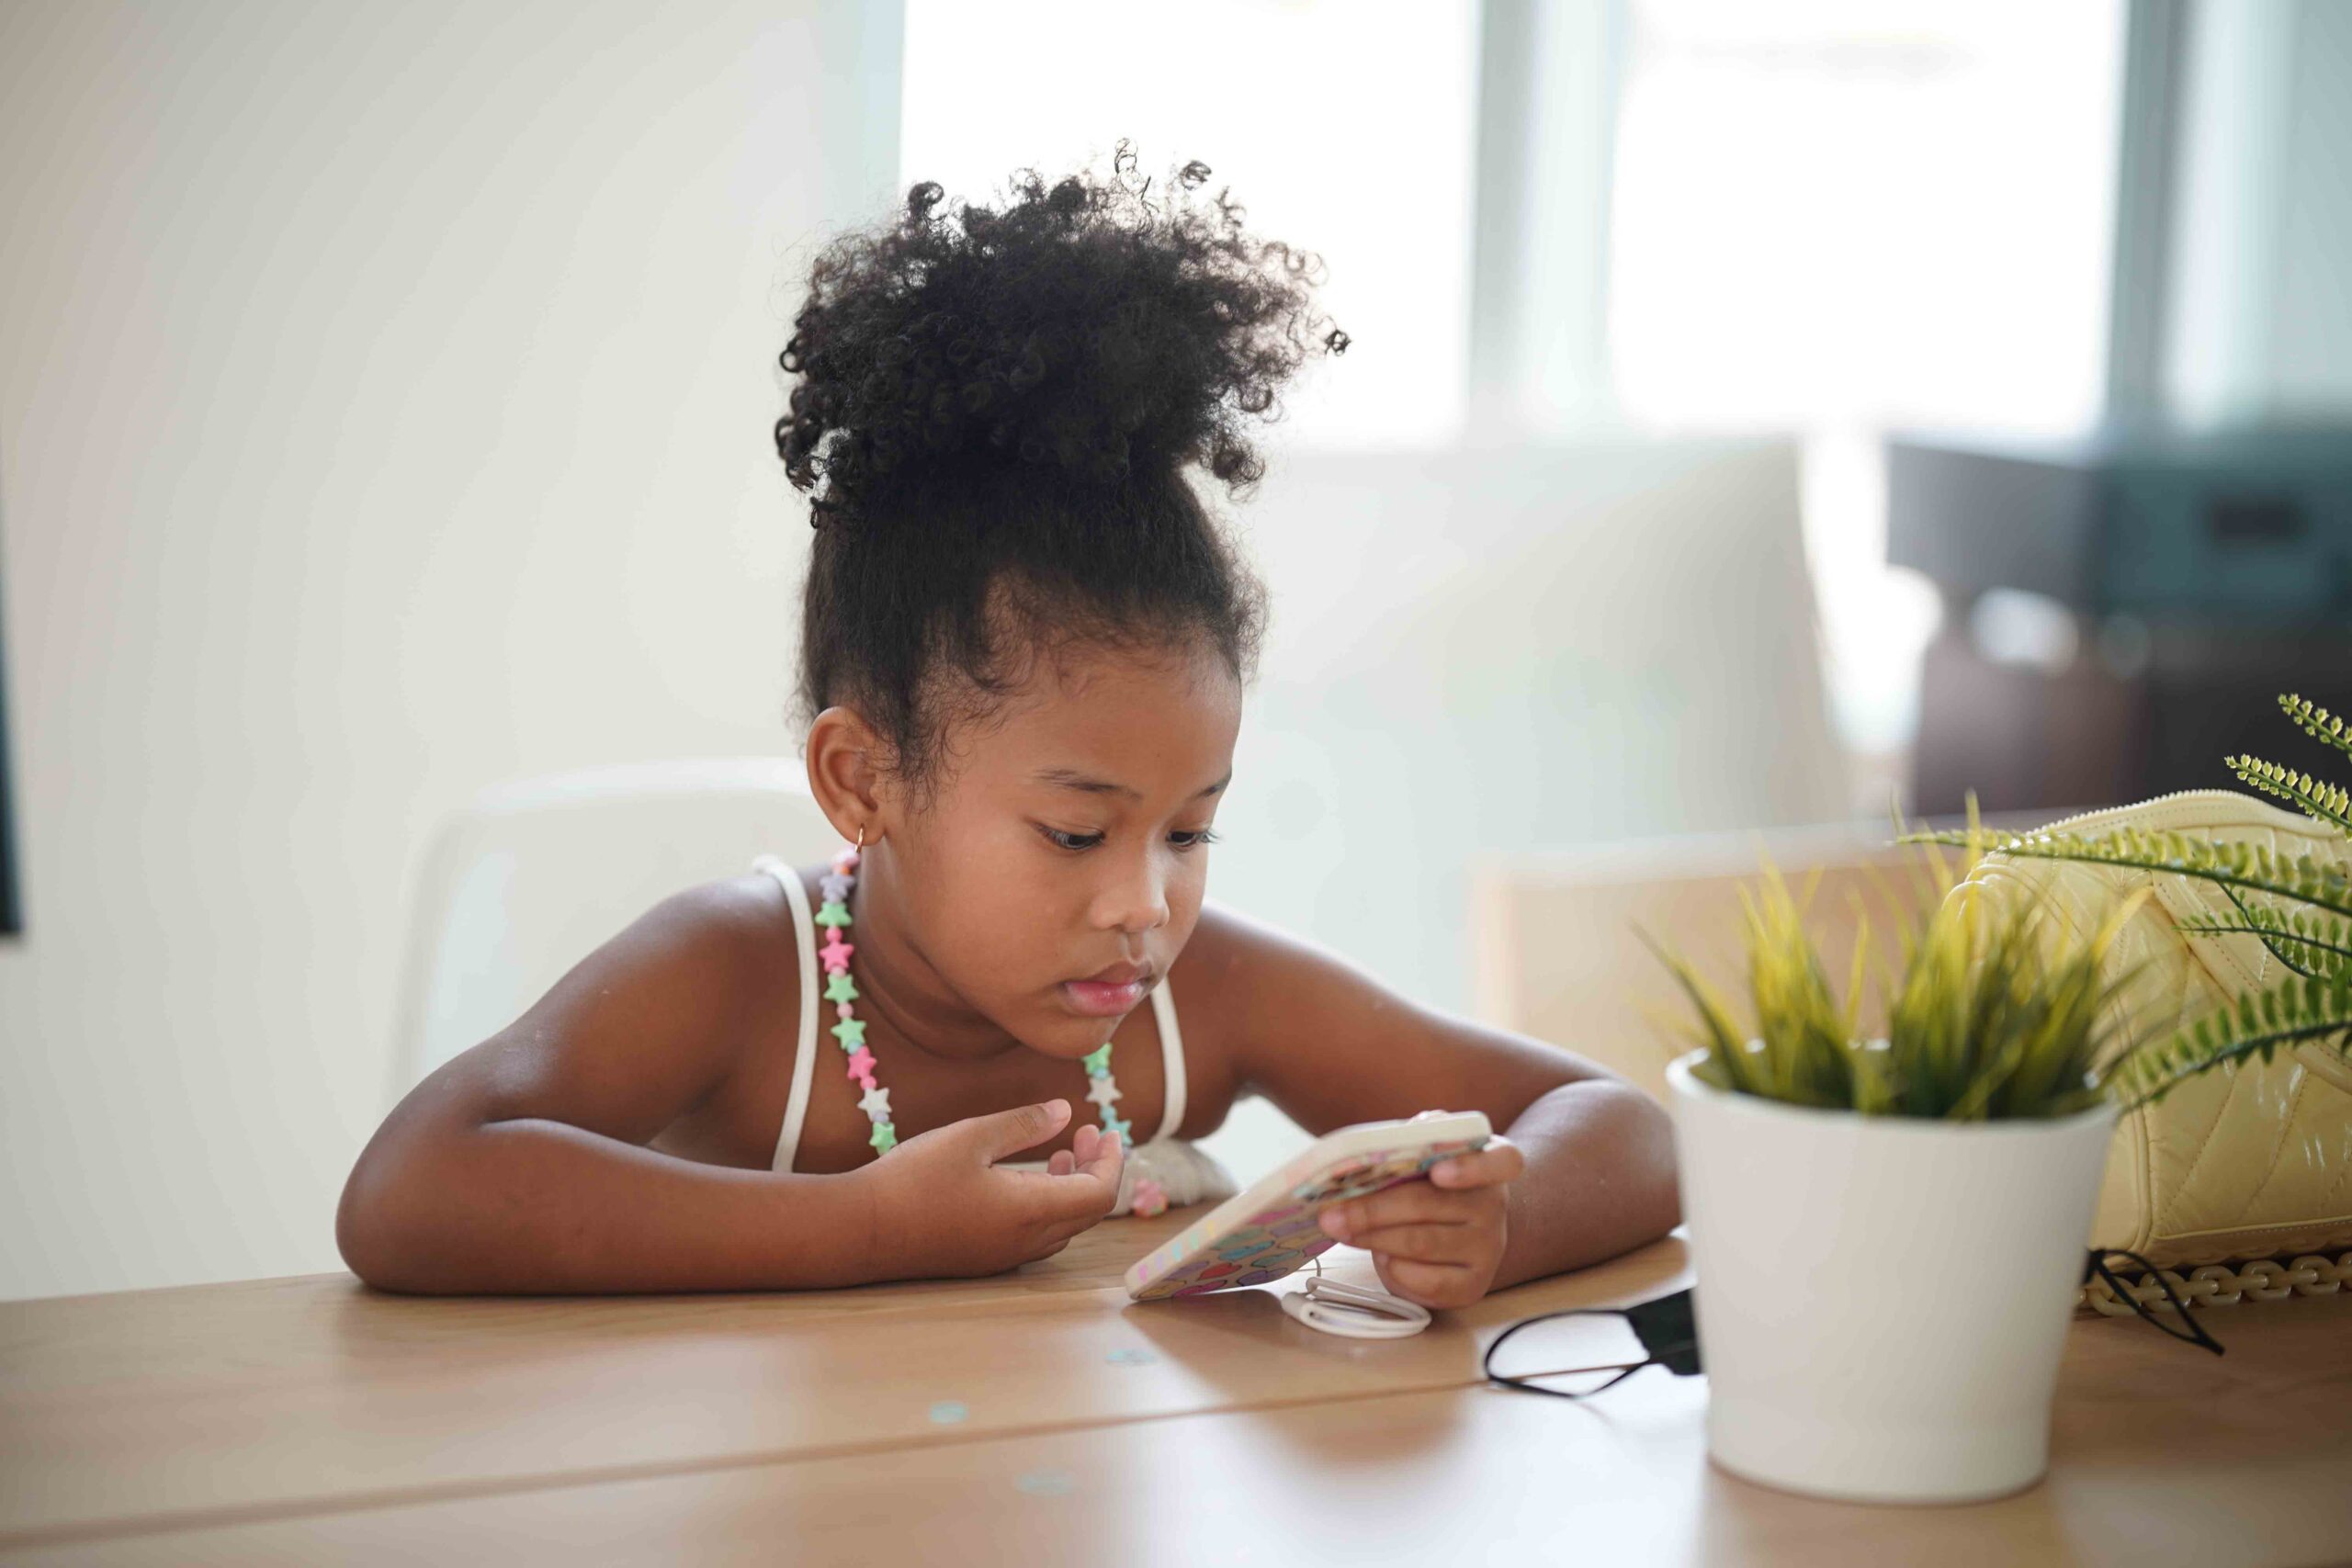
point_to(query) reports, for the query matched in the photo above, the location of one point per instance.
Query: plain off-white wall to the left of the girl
(385, 410)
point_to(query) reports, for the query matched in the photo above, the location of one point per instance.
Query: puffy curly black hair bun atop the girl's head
(1090, 328)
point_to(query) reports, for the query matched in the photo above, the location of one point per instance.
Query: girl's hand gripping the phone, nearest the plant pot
(1436, 1242)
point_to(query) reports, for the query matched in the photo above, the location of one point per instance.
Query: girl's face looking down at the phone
(1067, 840)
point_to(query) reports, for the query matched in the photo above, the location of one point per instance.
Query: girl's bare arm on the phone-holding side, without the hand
(1332, 1047)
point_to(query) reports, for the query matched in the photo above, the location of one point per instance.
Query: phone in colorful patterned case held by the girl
(1271, 1228)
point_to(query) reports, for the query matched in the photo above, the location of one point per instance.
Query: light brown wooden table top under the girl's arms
(1043, 1419)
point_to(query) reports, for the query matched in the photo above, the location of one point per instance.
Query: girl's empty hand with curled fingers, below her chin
(947, 1212)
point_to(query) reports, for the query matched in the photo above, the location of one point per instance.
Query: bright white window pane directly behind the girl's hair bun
(1342, 126)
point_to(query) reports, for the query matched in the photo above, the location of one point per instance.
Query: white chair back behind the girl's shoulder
(533, 876)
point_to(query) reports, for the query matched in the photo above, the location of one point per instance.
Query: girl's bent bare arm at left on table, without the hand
(519, 1167)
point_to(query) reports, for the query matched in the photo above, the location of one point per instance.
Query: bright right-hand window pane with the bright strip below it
(1847, 215)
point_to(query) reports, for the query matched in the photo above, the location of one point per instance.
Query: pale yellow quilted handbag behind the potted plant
(2231, 1165)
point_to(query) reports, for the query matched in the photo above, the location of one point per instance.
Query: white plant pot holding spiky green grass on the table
(1883, 1301)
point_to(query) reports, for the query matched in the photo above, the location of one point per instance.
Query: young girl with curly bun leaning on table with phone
(1024, 650)
